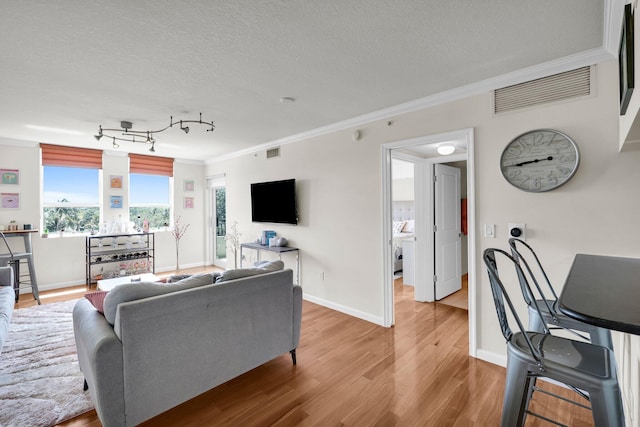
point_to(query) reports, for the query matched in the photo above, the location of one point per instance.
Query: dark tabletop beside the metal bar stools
(603, 291)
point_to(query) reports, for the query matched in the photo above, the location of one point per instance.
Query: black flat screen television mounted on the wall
(274, 201)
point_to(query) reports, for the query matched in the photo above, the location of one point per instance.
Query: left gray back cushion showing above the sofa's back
(135, 291)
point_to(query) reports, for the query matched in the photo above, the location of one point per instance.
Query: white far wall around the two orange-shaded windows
(60, 261)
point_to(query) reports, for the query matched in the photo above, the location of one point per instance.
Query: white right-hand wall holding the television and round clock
(339, 183)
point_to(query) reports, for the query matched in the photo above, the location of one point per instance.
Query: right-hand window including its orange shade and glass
(149, 190)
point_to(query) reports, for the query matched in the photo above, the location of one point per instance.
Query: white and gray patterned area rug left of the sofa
(40, 381)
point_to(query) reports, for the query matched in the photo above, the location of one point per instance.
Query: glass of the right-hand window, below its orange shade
(149, 199)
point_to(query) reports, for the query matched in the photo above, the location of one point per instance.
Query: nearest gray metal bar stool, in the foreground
(588, 369)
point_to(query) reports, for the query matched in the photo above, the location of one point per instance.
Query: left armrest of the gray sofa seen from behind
(100, 359)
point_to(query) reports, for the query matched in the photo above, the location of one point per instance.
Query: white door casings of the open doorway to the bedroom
(424, 244)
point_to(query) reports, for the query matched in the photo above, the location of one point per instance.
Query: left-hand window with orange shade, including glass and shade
(71, 191)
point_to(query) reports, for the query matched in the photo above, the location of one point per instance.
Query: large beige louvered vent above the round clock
(567, 85)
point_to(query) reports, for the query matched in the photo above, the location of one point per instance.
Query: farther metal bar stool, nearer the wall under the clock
(550, 316)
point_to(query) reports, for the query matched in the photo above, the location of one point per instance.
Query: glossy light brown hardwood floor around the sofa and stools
(353, 373)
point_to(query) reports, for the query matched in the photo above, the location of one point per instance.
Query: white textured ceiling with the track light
(73, 65)
